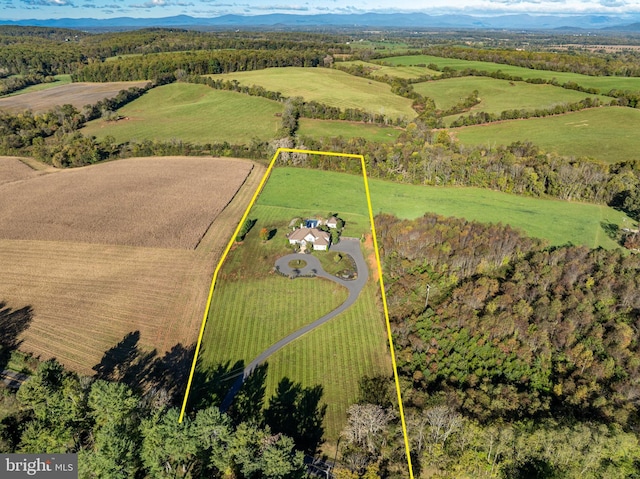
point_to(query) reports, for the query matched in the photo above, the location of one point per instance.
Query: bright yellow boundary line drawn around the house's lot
(375, 247)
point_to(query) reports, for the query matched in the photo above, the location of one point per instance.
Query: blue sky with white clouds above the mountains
(42, 9)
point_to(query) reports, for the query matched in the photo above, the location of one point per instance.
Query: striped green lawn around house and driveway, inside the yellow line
(253, 307)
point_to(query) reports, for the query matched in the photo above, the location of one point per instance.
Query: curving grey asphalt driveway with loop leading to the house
(313, 268)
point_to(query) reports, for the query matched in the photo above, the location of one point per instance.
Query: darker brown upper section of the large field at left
(152, 202)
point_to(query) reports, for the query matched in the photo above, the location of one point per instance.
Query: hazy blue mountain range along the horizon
(371, 20)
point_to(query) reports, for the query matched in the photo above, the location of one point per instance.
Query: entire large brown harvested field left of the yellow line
(105, 279)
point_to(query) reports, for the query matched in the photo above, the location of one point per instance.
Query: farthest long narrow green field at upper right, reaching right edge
(604, 84)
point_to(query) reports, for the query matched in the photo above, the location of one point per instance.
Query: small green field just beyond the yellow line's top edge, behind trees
(318, 129)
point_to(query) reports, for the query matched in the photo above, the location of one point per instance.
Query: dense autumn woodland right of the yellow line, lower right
(519, 344)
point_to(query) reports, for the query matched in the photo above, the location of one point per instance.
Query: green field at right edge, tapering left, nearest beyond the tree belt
(605, 134)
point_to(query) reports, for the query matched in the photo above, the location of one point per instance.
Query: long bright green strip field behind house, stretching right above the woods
(559, 222)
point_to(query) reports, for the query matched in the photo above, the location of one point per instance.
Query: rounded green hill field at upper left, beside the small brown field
(193, 113)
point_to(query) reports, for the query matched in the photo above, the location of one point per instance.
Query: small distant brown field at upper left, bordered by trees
(76, 94)
